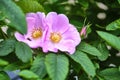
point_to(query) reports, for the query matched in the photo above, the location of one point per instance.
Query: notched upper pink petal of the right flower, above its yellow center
(57, 23)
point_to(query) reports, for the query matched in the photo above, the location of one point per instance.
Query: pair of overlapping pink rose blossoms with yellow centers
(51, 33)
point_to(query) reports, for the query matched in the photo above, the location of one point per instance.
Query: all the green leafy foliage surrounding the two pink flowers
(97, 57)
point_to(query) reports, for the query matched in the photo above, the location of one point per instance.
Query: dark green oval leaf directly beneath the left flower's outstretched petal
(23, 52)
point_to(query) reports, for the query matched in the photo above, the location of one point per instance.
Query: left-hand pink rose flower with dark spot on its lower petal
(36, 30)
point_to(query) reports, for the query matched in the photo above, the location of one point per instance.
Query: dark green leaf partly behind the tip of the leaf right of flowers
(105, 53)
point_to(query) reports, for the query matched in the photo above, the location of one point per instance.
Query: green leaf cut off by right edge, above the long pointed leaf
(114, 25)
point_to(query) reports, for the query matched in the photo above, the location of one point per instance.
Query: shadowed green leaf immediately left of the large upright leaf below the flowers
(38, 66)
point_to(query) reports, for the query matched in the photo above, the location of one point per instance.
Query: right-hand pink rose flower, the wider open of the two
(61, 34)
